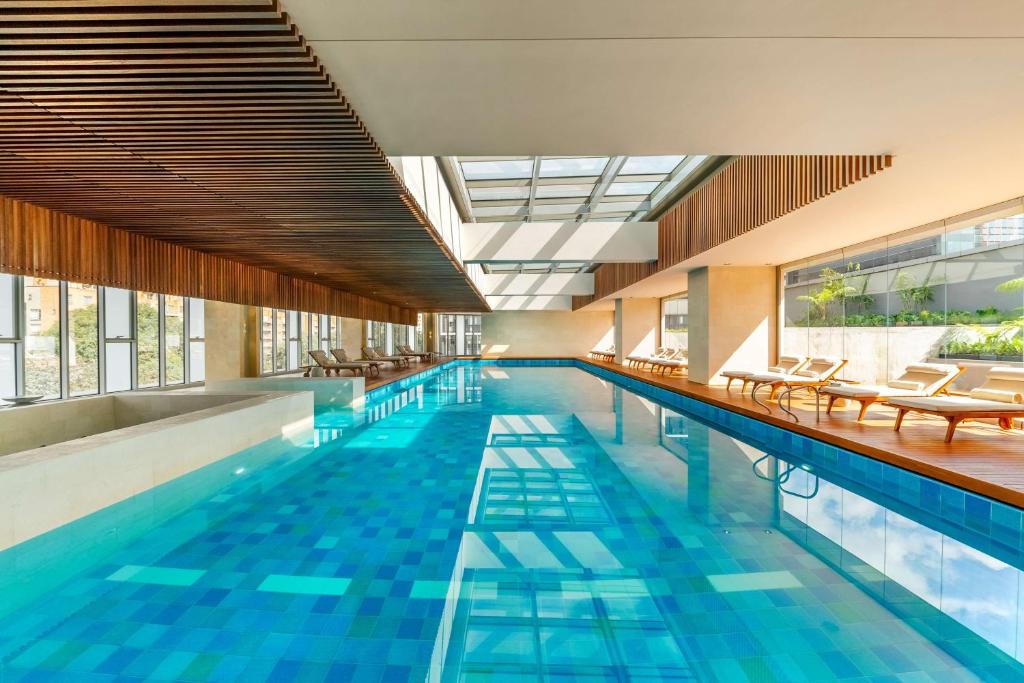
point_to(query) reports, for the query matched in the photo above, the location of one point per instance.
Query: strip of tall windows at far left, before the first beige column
(64, 340)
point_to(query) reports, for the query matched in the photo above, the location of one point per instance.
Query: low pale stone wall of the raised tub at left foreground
(47, 488)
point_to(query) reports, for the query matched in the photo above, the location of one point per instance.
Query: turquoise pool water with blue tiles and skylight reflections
(515, 524)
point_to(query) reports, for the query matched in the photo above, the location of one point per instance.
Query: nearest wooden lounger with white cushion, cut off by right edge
(1002, 397)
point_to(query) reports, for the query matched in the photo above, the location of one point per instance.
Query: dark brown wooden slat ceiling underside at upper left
(211, 125)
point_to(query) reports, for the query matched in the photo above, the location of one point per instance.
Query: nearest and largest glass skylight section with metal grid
(561, 189)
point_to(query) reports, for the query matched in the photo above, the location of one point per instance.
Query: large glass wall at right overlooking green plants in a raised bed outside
(952, 292)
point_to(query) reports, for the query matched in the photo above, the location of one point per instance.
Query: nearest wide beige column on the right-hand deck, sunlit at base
(733, 320)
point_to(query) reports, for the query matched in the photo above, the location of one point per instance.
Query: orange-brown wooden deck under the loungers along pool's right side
(983, 458)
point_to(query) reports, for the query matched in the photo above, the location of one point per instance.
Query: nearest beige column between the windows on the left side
(232, 341)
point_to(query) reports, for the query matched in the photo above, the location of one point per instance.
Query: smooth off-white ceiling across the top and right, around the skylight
(940, 84)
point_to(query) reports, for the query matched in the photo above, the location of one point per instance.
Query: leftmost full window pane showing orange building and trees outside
(42, 338)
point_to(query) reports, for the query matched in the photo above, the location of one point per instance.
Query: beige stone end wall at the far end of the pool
(544, 333)
